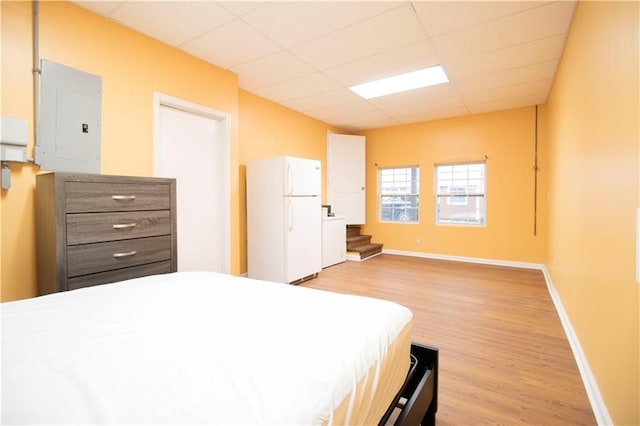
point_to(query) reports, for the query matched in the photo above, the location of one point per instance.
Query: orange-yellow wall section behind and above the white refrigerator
(271, 130)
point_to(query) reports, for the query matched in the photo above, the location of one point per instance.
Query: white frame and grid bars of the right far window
(462, 191)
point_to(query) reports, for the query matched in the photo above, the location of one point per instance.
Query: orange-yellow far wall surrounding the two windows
(507, 140)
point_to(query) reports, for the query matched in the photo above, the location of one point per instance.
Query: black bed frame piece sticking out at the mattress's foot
(418, 398)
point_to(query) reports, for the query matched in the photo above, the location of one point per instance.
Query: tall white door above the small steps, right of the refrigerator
(346, 176)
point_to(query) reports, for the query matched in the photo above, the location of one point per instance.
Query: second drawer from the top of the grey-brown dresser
(84, 228)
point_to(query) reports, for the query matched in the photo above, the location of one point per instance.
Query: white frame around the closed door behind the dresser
(223, 134)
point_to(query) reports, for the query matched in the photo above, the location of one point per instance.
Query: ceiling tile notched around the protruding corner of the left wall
(270, 69)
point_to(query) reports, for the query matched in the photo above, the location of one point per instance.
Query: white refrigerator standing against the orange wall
(284, 219)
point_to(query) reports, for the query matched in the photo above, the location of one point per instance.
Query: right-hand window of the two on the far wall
(460, 194)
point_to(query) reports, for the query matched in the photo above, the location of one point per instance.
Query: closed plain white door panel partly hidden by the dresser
(190, 147)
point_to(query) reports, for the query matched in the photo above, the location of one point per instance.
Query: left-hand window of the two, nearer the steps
(398, 189)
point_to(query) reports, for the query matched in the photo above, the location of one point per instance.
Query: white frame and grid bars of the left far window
(414, 192)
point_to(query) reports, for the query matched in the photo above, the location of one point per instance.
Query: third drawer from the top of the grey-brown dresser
(99, 257)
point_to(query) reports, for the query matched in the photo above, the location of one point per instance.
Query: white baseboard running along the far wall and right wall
(591, 386)
